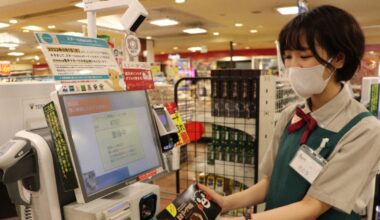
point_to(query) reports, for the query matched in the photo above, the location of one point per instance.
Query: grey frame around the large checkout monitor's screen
(77, 168)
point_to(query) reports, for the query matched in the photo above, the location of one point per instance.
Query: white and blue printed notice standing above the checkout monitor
(81, 64)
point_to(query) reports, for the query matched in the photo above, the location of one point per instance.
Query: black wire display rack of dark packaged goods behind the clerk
(238, 113)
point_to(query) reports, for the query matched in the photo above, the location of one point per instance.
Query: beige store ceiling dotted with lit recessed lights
(213, 15)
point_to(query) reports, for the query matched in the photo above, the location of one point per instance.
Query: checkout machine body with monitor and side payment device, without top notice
(92, 160)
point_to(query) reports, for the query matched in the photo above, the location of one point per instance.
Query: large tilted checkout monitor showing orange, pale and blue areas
(112, 138)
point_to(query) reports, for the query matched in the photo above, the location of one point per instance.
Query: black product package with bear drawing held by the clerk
(192, 204)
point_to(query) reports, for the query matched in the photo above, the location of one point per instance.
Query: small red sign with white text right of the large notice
(138, 79)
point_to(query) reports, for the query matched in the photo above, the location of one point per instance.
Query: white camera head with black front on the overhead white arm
(134, 16)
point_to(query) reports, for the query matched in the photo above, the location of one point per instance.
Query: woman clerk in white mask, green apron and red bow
(321, 49)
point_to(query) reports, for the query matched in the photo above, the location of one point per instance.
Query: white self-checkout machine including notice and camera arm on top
(99, 139)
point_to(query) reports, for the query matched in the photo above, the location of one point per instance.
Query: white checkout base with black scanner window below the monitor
(136, 201)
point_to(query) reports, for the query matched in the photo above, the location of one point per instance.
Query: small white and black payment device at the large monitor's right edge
(168, 137)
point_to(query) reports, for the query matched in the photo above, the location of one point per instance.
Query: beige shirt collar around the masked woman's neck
(331, 109)
